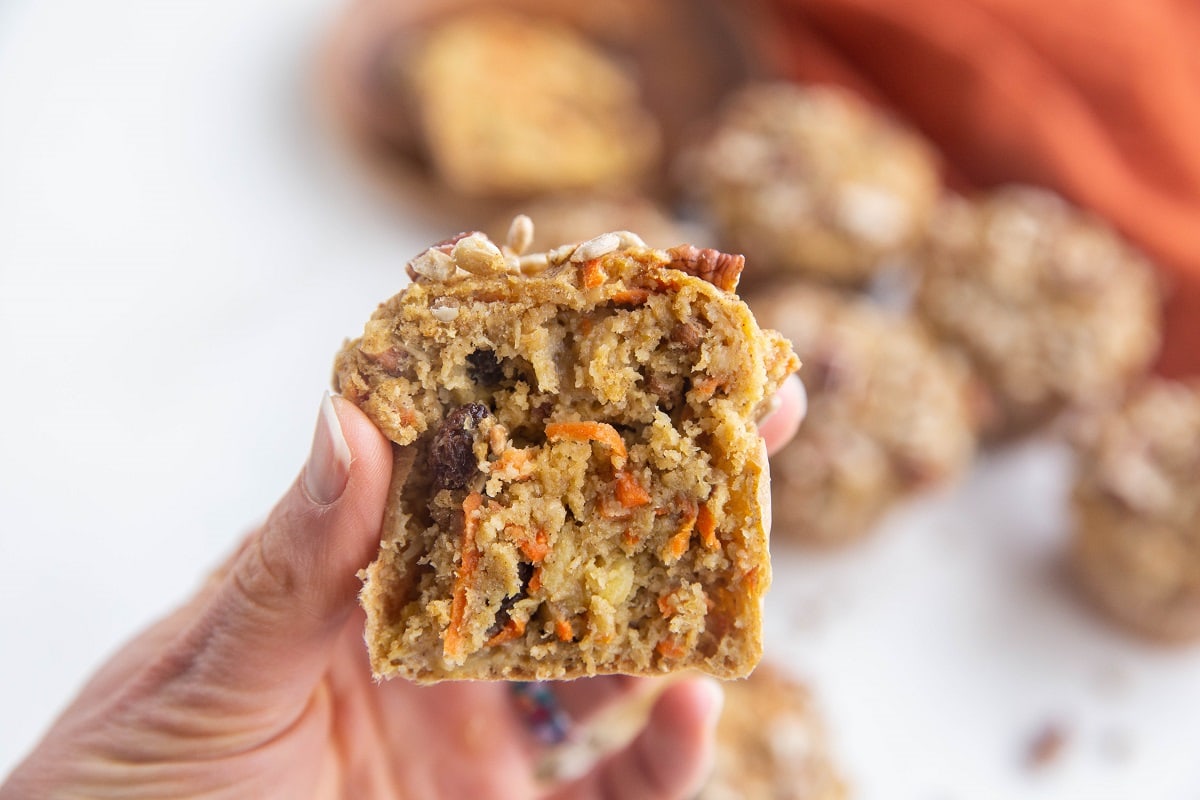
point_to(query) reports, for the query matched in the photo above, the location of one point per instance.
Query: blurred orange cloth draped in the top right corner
(1096, 99)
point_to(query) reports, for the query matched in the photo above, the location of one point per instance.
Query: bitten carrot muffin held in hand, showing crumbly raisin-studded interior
(580, 488)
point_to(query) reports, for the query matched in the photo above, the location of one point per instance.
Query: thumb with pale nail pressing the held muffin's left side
(268, 630)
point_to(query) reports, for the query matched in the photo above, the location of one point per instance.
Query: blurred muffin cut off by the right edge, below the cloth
(1137, 507)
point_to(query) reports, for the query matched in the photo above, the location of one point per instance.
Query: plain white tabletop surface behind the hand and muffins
(182, 250)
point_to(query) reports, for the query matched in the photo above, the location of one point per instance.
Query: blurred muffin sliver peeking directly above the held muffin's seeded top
(579, 218)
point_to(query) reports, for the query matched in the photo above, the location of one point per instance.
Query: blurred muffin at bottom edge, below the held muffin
(771, 744)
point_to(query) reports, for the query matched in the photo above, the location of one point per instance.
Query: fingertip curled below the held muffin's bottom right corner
(671, 757)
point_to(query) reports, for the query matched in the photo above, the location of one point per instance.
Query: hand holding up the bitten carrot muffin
(260, 685)
